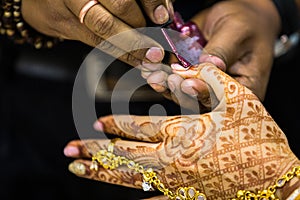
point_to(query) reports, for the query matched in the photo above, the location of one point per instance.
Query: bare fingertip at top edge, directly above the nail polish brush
(156, 11)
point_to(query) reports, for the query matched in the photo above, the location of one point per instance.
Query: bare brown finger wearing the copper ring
(107, 27)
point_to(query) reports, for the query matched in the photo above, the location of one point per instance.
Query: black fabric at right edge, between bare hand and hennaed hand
(282, 96)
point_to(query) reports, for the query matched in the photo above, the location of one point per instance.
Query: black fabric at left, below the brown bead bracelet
(36, 123)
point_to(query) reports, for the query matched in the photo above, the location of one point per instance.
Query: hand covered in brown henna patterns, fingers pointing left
(235, 146)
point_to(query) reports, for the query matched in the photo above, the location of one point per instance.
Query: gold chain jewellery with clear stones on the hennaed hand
(108, 160)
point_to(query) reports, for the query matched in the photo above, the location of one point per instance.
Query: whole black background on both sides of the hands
(36, 119)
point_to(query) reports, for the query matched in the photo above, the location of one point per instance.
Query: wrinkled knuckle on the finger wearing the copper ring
(103, 24)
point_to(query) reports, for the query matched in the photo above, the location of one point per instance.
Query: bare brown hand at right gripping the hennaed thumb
(241, 37)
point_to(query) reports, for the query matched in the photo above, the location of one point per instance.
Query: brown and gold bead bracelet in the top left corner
(15, 28)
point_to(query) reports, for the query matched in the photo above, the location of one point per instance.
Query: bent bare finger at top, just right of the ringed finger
(126, 10)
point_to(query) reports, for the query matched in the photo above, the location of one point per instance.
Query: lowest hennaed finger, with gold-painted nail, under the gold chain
(119, 176)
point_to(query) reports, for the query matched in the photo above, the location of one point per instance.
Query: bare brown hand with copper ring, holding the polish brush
(108, 18)
